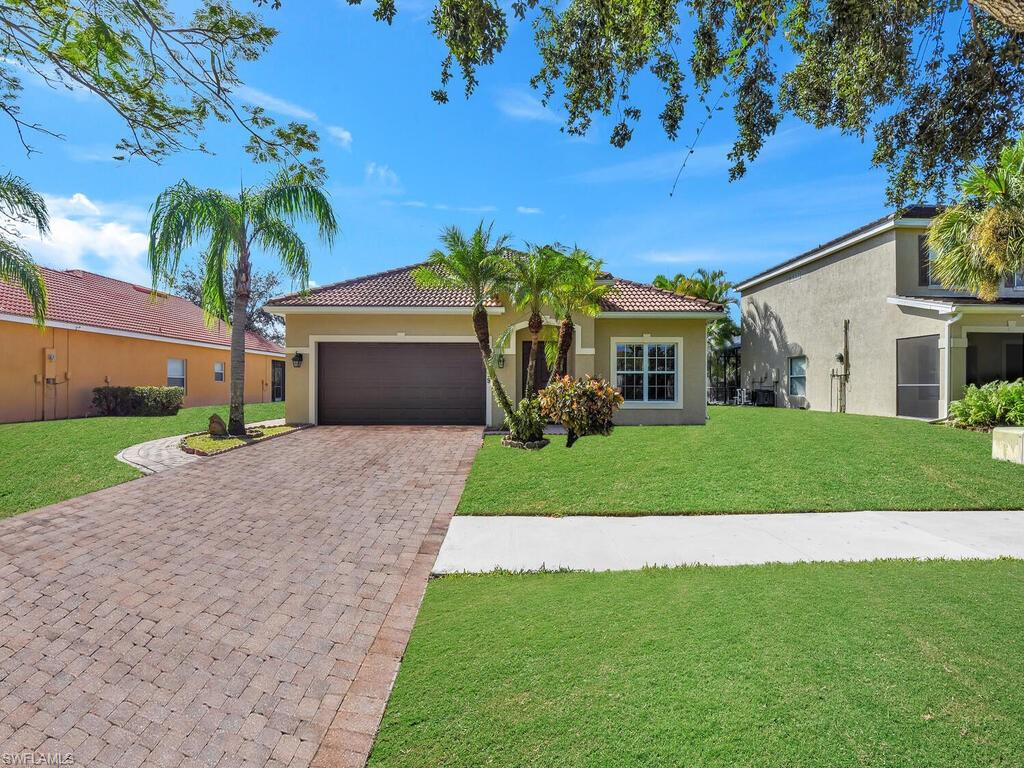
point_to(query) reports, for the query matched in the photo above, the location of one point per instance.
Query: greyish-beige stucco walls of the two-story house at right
(802, 311)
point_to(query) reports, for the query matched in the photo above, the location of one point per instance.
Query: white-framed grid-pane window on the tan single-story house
(648, 371)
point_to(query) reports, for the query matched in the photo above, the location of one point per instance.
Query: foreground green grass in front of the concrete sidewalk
(889, 664)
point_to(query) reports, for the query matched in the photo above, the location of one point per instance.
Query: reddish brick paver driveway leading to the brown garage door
(247, 610)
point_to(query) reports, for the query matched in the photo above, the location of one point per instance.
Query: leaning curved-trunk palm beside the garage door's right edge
(476, 265)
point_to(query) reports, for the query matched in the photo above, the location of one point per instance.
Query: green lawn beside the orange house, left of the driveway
(47, 462)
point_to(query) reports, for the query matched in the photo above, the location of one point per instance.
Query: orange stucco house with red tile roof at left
(105, 331)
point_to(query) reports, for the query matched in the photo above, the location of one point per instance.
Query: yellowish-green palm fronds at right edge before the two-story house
(979, 242)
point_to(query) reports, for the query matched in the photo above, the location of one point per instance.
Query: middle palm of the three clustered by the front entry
(533, 277)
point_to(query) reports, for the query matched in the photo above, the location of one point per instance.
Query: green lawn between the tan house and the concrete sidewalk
(748, 460)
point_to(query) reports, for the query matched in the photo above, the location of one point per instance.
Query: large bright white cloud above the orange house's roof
(87, 235)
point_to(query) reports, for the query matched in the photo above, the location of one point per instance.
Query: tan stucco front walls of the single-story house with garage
(590, 354)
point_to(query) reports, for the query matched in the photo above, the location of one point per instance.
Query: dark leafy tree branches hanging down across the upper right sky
(937, 84)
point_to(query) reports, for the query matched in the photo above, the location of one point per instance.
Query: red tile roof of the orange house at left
(82, 298)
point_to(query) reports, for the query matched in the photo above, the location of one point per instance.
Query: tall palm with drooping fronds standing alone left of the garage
(260, 218)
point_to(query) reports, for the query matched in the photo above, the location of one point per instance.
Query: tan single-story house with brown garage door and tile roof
(380, 350)
